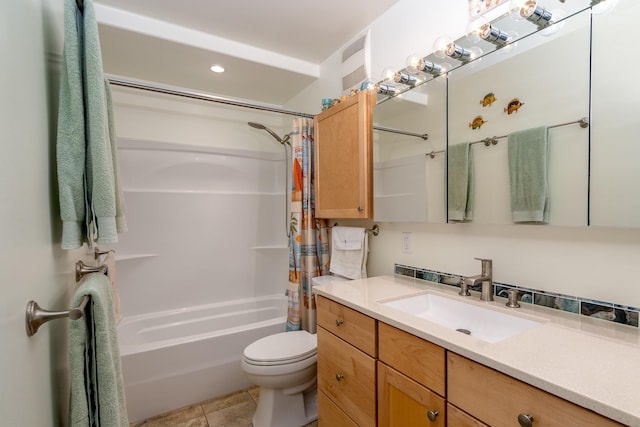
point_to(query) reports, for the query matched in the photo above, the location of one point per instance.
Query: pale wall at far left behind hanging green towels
(33, 372)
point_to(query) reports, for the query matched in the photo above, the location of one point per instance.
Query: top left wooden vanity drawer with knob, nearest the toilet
(352, 326)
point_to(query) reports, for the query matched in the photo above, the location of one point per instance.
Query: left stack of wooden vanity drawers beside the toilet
(346, 366)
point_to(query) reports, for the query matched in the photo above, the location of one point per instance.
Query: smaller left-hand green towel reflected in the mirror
(460, 186)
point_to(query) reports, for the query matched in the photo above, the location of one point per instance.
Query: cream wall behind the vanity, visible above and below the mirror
(592, 262)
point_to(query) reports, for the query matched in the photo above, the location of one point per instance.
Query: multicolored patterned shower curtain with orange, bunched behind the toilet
(308, 245)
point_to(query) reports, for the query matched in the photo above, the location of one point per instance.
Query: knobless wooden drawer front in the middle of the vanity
(418, 359)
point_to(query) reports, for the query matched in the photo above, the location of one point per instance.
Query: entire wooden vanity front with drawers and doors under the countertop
(420, 383)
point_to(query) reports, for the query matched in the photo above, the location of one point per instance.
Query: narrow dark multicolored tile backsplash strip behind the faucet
(573, 304)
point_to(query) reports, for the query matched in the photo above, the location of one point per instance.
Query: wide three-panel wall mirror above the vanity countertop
(554, 76)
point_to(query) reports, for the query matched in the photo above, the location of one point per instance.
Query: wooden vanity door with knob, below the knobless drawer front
(403, 402)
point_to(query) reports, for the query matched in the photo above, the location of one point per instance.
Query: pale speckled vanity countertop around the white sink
(590, 362)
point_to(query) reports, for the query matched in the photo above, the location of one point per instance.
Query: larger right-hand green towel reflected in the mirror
(528, 175)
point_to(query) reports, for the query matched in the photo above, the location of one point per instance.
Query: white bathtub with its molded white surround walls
(196, 294)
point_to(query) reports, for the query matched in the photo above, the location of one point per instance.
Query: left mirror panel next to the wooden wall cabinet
(409, 166)
